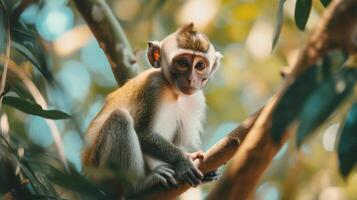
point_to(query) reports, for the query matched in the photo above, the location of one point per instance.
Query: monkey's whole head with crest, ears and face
(186, 57)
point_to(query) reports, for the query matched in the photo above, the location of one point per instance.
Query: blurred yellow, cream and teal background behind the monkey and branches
(242, 30)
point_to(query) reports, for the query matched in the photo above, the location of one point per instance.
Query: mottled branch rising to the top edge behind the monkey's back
(110, 36)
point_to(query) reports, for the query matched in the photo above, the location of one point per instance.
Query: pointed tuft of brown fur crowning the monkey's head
(188, 38)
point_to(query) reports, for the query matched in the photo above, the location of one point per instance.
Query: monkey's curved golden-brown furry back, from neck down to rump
(128, 97)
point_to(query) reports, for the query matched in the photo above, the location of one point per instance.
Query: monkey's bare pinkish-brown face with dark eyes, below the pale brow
(189, 73)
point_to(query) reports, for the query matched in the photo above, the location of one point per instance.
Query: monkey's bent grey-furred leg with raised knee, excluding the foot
(118, 144)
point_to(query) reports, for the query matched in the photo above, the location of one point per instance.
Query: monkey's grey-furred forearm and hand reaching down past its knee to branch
(156, 146)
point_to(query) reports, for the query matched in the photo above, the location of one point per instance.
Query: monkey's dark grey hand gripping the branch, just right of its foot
(187, 171)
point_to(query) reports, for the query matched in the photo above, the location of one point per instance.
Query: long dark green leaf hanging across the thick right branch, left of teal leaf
(295, 96)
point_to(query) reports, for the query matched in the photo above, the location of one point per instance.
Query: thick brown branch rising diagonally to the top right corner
(337, 29)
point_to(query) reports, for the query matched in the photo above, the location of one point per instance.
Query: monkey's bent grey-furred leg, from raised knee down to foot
(119, 145)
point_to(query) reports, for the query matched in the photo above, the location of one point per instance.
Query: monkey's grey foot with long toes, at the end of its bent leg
(166, 175)
